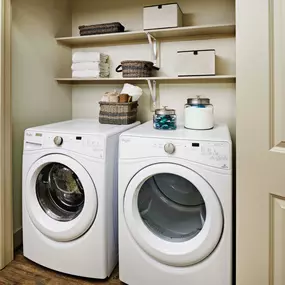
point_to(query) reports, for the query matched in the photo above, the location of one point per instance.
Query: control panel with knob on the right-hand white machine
(215, 154)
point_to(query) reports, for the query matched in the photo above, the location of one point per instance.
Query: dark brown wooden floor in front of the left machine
(23, 271)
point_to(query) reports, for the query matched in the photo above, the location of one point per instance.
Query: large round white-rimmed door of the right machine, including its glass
(173, 214)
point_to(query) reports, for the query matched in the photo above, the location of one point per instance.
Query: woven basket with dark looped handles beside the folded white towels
(136, 68)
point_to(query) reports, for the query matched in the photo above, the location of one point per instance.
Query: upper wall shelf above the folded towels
(163, 34)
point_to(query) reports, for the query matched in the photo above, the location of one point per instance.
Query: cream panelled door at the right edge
(260, 142)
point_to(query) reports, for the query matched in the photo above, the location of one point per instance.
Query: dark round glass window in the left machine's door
(59, 192)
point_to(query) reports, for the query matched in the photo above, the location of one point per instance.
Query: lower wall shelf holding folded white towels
(193, 79)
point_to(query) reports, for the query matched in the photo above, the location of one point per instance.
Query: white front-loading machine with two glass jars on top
(175, 206)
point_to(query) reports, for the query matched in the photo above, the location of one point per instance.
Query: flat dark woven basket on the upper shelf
(107, 28)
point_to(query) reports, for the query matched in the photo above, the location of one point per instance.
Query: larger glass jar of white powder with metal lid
(199, 114)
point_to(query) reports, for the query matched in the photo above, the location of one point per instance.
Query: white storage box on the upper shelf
(162, 16)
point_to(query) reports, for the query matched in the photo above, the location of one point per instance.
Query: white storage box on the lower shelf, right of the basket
(196, 62)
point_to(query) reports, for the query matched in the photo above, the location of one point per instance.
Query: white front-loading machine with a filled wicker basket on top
(70, 196)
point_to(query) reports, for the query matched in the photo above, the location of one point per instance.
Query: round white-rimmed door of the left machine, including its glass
(60, 197)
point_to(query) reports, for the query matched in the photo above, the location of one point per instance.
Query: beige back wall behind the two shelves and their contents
(129, 13)
